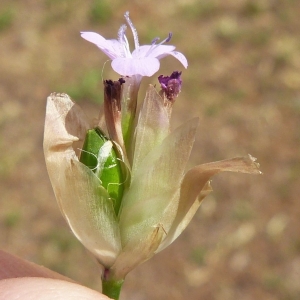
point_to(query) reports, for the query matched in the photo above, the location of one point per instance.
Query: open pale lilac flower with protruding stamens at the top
(143, 61)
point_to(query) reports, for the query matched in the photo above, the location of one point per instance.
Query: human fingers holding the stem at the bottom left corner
(21, 279)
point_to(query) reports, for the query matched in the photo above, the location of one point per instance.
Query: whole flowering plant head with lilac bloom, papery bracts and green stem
(126, 195)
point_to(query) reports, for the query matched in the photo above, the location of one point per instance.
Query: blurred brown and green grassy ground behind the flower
(243, 81)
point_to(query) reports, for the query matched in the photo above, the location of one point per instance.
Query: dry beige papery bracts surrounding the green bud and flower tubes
(158, 202)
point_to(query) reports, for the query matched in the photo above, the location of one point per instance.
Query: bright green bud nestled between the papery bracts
(99, 154)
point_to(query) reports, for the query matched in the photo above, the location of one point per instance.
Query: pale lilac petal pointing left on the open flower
(112, 48)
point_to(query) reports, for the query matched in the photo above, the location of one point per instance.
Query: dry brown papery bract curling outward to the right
(195, 186)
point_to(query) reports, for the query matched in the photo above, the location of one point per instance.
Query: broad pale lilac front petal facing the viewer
(128, 66)
